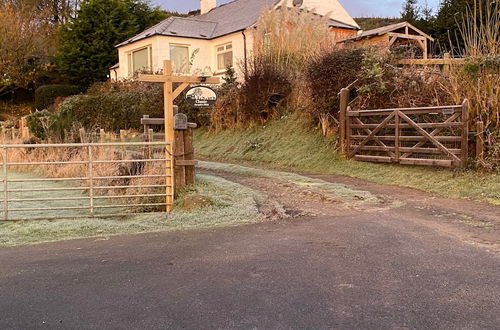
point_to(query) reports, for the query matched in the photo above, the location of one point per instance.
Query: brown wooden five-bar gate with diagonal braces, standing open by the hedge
(414, 136)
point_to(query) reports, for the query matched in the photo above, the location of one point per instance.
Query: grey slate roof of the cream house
(225, 19)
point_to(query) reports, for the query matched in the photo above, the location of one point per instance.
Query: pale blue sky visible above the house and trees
(357, 8)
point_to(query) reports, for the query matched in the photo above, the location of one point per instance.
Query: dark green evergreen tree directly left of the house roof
(87, 42)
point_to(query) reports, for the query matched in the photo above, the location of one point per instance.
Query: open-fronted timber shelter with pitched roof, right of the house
(392, 35)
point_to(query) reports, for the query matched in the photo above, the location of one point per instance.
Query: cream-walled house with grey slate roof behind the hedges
(217, 38)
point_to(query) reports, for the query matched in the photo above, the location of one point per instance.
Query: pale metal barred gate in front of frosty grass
(141, 171)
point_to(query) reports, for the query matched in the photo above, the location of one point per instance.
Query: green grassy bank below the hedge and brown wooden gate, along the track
(290, 144)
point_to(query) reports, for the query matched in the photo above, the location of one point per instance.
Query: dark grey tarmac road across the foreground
(356, 271)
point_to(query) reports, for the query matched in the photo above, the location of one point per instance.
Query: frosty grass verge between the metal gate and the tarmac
(231, 204)
